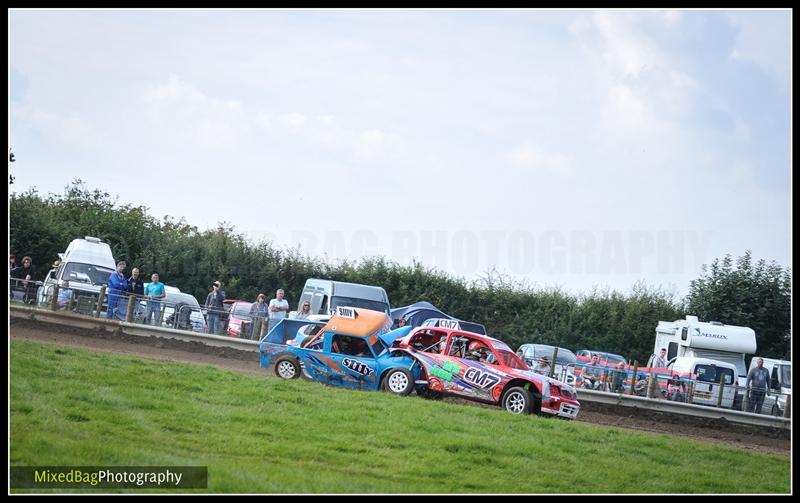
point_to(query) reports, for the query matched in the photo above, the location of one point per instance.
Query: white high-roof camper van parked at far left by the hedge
(86, 264)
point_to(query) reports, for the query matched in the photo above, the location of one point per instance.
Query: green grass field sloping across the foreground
(74, 407)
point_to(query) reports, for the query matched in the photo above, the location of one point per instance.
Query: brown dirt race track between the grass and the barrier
(758, 439)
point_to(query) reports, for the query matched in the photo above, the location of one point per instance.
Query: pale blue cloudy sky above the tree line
(566, 149)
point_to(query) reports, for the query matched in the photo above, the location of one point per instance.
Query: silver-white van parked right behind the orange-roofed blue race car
(326, 295)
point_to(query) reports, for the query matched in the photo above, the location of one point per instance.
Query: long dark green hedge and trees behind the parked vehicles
(740, 292)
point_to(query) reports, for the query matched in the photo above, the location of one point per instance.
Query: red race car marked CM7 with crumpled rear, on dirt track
(481, 368)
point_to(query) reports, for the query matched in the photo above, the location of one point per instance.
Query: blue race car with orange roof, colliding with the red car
(352, 350)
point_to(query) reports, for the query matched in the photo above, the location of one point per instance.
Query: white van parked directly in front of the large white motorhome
(706, 374)
